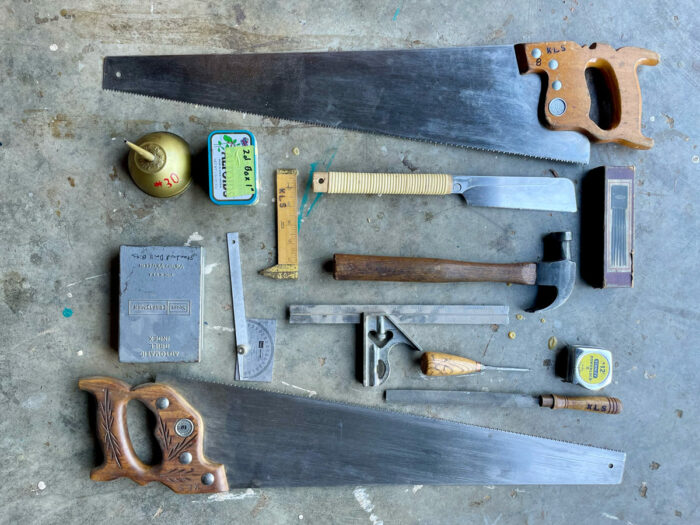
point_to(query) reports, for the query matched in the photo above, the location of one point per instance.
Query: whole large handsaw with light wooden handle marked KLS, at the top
(478, 97)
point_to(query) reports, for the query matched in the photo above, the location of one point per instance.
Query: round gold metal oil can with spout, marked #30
(159, 163)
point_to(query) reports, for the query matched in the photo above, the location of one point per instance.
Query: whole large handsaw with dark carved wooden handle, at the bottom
(215, 436)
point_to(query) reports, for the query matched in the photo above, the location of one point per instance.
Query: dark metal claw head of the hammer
(556, 274)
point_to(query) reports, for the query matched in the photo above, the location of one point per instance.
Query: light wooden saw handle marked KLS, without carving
(567, 108)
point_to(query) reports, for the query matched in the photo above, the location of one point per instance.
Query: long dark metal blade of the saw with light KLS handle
(473, 96)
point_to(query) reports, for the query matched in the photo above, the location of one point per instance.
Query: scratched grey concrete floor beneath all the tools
(67, 204)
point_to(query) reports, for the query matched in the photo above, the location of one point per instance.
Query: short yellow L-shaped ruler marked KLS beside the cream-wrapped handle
(287, 266)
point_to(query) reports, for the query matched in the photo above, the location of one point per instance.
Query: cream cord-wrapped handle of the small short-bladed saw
(382, 183)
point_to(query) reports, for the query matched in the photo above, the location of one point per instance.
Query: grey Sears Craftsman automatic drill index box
(160, 304)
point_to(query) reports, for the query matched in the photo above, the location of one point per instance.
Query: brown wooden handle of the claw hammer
(412, 269)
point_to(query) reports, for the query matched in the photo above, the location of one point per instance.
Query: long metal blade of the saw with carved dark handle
(270, 439)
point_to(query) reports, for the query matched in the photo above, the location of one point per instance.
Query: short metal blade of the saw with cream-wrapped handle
(524, 193)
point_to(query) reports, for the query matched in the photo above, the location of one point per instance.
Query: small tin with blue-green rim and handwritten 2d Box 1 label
(233, 168)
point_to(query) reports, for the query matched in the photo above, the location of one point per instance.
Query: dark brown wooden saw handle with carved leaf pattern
(179, 431)
